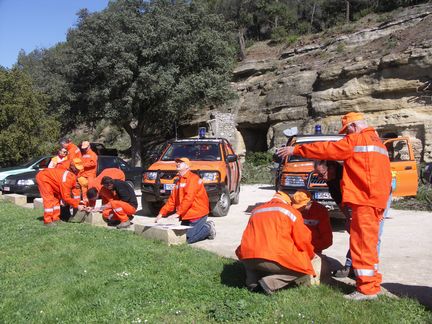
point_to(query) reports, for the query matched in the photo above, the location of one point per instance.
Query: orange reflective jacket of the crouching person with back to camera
(276, 232)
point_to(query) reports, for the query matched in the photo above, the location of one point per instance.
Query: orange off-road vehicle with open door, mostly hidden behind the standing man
(297, 172)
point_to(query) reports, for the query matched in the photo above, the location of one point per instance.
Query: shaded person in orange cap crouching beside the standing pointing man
(316, 218)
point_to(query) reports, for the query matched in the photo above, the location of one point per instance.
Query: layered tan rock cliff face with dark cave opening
(381, 70)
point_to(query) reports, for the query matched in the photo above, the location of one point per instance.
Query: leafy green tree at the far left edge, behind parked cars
(26, 130)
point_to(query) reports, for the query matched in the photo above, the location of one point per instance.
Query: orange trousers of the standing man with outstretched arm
(363, 244)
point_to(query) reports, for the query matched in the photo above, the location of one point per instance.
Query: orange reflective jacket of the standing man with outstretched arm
(366, 176)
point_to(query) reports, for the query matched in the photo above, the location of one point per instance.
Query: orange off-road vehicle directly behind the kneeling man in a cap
(213, 159)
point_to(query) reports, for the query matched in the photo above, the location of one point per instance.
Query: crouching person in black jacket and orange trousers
(123, 203)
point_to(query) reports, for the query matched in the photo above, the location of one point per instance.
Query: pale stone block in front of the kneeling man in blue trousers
(162, 233)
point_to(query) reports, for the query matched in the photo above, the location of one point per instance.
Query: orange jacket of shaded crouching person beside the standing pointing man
(317, 220)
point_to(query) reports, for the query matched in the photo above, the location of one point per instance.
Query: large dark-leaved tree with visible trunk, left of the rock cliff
(144, 65)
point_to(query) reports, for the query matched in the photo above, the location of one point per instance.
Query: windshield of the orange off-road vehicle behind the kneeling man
(193, 151)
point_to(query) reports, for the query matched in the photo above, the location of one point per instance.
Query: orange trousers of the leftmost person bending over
(51, 200)
